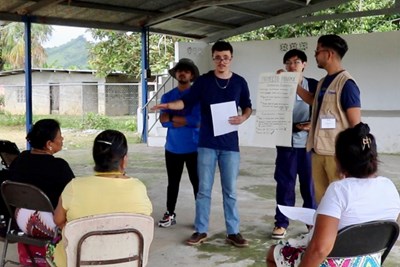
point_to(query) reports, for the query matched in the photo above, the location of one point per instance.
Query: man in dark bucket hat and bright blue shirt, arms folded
(182, 137)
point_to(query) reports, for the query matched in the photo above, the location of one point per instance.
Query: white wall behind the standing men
(373, 60)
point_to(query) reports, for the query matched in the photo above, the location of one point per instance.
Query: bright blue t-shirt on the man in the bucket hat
(182, 140)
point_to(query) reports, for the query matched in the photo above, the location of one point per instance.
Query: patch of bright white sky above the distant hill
(63, 34)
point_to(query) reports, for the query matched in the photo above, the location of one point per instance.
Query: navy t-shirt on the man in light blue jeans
(207, 90)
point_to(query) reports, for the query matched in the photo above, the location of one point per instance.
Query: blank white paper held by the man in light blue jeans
(220, 114)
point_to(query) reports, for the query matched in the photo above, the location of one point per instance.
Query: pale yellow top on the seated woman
(85, 196)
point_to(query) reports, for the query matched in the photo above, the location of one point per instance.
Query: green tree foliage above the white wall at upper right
(346, 26)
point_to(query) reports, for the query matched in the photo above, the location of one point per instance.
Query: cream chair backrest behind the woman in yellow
(120, 239)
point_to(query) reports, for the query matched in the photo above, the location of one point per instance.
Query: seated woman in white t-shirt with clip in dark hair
(361, 196)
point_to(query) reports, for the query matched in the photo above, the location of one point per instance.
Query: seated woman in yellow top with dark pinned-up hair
(108, 190)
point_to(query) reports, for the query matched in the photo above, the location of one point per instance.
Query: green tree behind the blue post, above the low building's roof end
(120, 51)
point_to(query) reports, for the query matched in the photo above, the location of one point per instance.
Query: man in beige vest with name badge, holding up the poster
(335, 107)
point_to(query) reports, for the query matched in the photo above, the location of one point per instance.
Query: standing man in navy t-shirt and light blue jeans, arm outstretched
(217, 86)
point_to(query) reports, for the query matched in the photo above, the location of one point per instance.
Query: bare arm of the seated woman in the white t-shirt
(322, 241)
